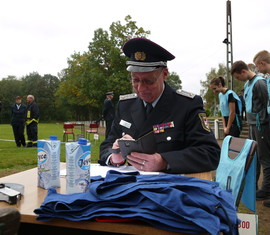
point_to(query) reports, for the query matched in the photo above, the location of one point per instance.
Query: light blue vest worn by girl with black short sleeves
(224, 105)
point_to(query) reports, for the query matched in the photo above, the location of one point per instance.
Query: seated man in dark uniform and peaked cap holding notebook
(184, 142)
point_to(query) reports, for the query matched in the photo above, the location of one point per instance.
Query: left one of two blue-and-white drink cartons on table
(49, 163)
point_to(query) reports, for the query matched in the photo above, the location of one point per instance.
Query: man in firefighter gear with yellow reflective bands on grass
(32, 117)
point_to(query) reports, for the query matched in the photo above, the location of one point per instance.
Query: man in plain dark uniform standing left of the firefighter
(18, 112)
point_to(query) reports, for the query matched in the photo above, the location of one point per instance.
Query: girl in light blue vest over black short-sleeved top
(230, 107)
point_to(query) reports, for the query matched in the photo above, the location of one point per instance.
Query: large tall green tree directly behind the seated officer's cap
(101, 69)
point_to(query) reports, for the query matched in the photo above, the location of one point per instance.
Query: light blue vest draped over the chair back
(231, 173)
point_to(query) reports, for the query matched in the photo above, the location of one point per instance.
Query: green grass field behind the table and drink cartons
(14, 159)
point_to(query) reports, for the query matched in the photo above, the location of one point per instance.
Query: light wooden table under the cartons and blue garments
(34, 196)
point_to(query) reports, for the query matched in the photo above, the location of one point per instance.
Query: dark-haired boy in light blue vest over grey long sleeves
(256, 99)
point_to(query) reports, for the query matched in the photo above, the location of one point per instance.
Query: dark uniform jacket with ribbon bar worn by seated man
(188, 147)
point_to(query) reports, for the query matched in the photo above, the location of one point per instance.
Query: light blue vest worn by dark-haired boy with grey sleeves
(248, 94)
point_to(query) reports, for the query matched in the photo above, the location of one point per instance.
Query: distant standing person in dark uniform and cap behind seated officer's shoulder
(108, 112)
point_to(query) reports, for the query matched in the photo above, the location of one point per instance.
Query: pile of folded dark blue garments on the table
(171, 202)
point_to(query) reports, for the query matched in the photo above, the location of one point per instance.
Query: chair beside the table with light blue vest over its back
(238, 165)
